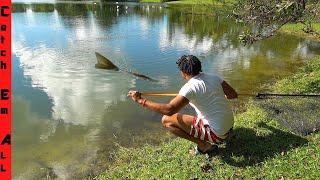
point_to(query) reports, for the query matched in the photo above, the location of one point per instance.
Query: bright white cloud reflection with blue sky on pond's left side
(65, 70)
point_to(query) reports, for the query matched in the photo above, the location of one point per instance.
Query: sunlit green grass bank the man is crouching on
(262, 147)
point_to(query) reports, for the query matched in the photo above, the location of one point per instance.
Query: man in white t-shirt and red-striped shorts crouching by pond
(207, 94)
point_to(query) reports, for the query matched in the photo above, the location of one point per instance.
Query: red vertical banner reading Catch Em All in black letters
(5, 89)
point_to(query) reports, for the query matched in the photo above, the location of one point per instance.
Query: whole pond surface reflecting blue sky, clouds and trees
(68, 117)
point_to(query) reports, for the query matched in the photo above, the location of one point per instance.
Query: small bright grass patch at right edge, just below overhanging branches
(297, 29)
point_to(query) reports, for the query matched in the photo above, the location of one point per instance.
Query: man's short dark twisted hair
(189, 64)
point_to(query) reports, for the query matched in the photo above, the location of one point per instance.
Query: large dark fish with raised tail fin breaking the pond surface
(105, 63)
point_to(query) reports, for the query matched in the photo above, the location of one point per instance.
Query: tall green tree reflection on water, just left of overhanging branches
(217, 27)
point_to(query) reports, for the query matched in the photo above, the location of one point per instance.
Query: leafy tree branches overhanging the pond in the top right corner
(268, 16)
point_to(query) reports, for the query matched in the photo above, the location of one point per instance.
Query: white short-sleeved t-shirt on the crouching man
(206, 96)
